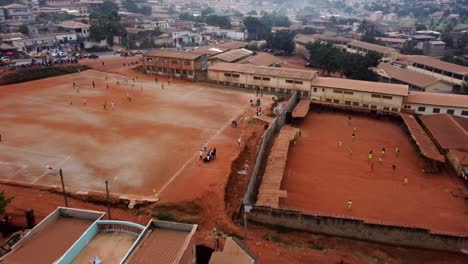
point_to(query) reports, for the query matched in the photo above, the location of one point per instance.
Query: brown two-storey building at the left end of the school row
(179, 64)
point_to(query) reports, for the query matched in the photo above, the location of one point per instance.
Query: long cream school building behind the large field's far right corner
(267, 79)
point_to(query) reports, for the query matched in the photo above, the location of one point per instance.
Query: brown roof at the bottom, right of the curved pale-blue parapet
(162, 242)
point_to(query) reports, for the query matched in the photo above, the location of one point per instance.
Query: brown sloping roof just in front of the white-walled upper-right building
(407, 76)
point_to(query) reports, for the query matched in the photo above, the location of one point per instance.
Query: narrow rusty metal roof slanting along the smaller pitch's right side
(423, 141)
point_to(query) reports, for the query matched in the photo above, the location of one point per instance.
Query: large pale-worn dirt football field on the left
(139, 147)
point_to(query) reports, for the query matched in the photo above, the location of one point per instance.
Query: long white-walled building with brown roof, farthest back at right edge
(448, 72)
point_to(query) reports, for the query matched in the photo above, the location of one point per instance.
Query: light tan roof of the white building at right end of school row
(440, 99)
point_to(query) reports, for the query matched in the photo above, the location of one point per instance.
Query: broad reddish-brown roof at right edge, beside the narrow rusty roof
(451, 132)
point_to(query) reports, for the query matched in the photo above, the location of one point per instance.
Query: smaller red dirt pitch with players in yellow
(321, 176)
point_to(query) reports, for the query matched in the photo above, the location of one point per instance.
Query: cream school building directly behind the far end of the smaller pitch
(377, 96)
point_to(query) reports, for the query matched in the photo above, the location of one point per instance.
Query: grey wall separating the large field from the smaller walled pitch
(266, 141)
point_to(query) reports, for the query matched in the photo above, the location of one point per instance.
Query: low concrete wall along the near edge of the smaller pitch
(359, 229)
